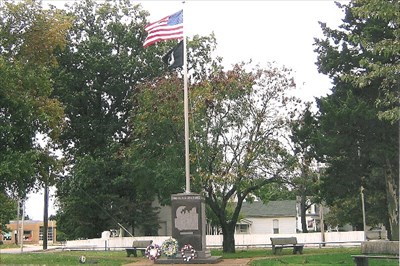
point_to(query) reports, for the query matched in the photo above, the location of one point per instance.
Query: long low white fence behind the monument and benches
(241, 240)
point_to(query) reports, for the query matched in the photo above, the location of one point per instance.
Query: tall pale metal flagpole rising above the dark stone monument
(186, 109)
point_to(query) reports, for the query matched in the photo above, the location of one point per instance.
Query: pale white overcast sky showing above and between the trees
(263, 31)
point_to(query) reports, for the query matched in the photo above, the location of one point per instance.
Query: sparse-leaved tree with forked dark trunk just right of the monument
(240, 118)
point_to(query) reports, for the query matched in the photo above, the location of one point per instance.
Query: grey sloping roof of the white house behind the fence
(281, 208)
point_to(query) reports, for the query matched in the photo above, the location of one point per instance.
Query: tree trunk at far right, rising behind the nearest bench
(393, 202)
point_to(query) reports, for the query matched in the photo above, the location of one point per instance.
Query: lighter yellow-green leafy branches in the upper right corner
(375, 28)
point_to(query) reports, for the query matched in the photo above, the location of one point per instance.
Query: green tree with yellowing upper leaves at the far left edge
(29, 37)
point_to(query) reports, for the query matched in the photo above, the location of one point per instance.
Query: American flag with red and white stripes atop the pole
(168, 28)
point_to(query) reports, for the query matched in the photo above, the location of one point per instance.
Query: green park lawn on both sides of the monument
(259, 257)
